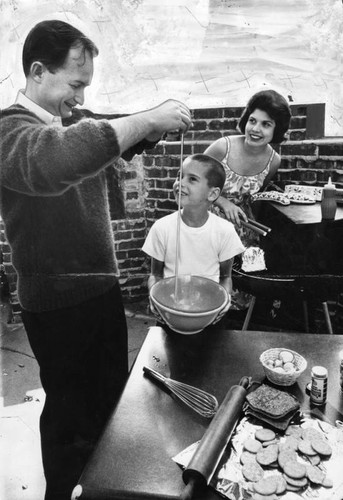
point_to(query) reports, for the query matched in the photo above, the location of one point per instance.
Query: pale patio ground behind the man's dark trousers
(22, 399)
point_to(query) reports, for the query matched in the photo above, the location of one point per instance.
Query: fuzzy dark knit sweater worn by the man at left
(55, 208)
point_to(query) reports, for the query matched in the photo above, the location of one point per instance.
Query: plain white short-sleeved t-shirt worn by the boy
(201, 249)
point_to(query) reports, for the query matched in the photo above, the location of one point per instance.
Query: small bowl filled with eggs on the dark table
(282, 366)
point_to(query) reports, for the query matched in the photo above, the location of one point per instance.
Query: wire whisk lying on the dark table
(200, 401)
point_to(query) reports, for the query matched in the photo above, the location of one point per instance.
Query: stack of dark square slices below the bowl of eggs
(272, 406)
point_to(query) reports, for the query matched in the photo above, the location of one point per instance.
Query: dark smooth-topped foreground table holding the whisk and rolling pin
(133, 459)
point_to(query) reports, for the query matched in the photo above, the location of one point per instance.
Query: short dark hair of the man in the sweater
(49, 43)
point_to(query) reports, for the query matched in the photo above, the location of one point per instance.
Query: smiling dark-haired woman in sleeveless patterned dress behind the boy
(250, 161)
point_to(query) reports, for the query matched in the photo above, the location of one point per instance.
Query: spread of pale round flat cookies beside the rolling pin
(271, 464)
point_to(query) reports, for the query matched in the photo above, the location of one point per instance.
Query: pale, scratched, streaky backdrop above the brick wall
(205, 52)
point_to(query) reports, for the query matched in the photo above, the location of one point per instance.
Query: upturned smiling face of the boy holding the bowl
(194, 185)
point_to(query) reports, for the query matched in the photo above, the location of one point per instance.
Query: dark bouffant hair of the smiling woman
(276, 106)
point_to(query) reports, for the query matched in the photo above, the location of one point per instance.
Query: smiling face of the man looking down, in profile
(60, 91)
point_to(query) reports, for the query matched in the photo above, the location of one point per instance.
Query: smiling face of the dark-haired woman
(259, 129)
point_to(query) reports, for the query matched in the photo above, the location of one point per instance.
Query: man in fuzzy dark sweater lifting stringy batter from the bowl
(56, 214)
